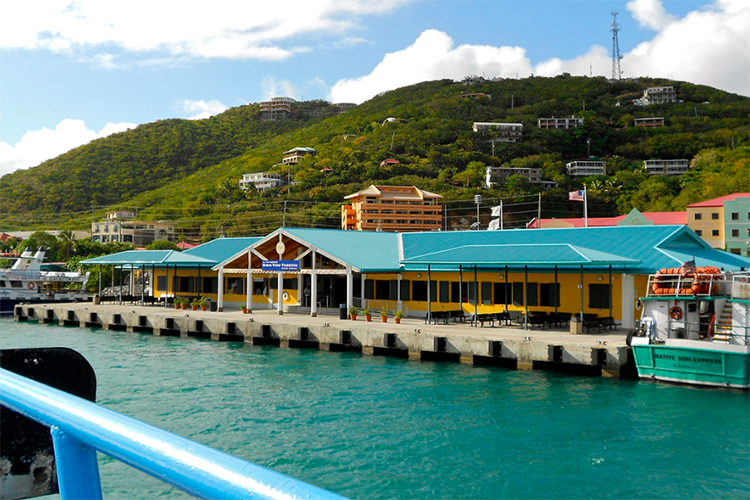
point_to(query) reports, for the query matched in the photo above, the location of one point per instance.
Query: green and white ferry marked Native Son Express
(694, 327)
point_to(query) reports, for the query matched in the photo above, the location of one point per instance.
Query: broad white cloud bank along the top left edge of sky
(181, 28)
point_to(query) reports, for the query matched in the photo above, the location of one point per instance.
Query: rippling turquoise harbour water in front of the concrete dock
(383, 428)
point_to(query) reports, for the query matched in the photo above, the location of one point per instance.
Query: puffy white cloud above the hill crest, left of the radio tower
(432, 56)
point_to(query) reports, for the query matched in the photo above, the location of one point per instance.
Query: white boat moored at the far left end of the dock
(27, 281)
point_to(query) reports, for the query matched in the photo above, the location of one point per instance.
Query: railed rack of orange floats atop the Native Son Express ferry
(688, 284)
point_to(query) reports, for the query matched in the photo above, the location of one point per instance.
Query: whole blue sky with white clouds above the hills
(72, 71)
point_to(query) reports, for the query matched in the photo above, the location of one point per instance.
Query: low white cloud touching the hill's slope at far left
(37, 146)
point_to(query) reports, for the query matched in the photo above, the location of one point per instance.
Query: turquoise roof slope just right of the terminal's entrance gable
(367, 251)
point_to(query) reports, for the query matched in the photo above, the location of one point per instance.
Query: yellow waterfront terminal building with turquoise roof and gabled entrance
(600, 271)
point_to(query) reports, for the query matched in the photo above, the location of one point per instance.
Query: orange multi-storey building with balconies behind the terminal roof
(392, 208)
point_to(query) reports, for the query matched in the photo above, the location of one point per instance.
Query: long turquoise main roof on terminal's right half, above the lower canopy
(652, 247)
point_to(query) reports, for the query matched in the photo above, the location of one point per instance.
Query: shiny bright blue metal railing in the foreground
(80, 428)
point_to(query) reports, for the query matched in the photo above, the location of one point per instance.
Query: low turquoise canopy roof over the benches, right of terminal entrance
(493, 256)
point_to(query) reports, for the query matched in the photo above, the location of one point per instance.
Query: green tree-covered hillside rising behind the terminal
(188, 171)
